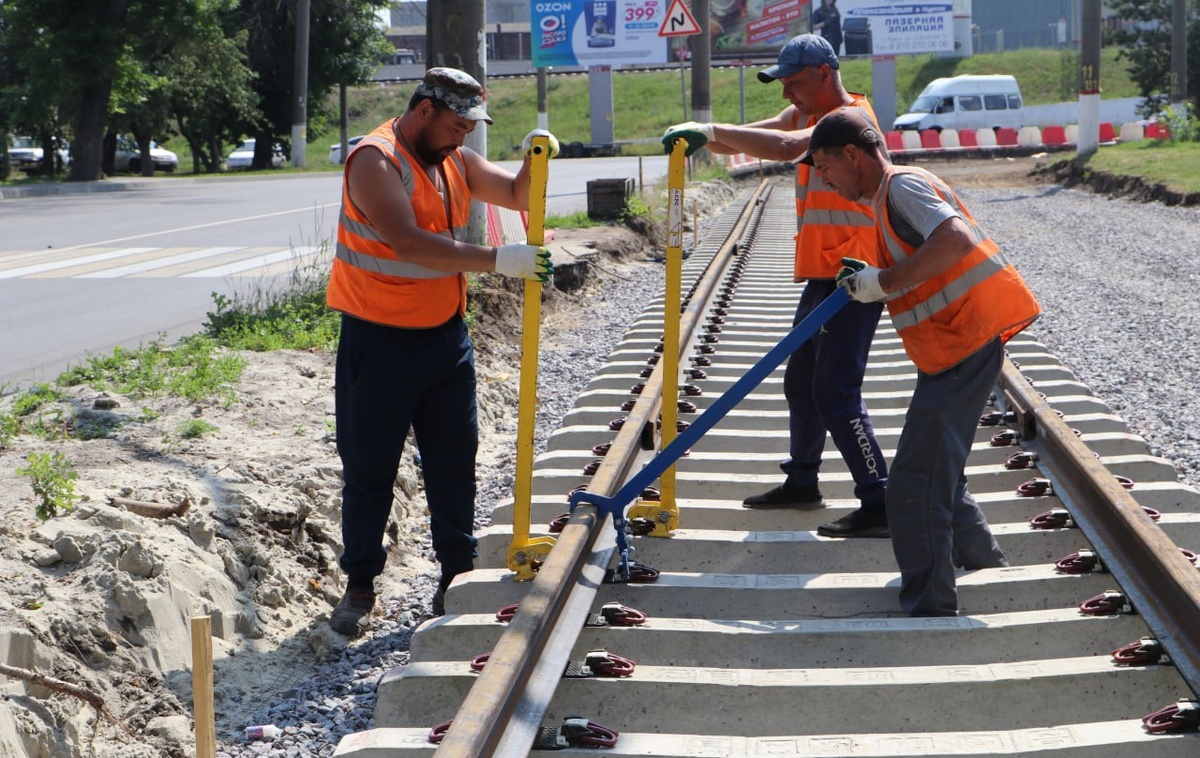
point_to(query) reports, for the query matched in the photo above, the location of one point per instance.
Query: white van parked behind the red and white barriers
(967, 103)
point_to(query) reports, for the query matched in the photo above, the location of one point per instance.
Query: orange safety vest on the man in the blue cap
(829, 227)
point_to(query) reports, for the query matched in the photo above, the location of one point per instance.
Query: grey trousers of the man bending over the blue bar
(937, 526)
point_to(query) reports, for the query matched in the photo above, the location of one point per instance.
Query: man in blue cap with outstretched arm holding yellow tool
(824, 378)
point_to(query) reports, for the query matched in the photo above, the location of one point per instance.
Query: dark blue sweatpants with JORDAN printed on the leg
(824, 387)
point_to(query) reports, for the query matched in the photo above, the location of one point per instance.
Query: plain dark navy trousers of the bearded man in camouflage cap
(388, 381)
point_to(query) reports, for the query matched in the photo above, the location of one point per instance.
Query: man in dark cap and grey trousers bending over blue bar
(955, 300)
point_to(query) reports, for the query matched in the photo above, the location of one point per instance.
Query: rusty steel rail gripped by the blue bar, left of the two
(532, 647)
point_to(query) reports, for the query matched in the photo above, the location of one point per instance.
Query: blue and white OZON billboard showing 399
(598, 33)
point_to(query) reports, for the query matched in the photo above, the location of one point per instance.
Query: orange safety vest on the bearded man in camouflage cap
(369, 280)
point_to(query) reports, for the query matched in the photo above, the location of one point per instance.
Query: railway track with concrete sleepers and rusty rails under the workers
(764, 639)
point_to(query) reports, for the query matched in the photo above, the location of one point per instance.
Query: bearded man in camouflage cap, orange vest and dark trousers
(405, 359)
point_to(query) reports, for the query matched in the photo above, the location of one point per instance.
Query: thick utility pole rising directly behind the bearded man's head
(455, 38)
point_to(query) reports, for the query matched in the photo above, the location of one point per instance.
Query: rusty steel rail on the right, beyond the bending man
(1154, 575)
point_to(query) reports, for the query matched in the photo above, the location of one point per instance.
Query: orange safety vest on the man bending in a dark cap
(949, 317)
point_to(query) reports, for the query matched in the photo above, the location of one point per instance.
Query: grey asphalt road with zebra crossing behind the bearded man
(122, 262)
